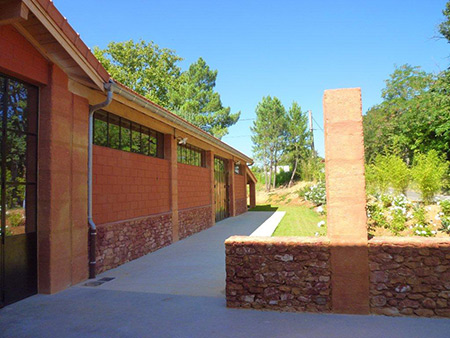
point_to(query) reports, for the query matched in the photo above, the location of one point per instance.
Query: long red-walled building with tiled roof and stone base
(93, 175)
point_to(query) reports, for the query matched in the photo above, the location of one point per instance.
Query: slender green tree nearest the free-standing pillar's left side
(298, 137)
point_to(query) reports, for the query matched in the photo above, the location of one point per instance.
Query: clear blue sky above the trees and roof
(290, 49)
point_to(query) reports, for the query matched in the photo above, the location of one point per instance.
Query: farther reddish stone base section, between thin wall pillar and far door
(194, 220)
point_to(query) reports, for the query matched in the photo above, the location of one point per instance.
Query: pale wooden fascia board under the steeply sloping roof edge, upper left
(60, 37)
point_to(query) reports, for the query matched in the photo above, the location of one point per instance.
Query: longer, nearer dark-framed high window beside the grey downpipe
(117, 132)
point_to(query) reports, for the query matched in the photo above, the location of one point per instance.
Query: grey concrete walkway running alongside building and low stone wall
(178, 291)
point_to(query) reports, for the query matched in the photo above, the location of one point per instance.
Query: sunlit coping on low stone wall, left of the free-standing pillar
(293, 241)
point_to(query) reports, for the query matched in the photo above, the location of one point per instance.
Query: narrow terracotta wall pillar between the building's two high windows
(170, 153)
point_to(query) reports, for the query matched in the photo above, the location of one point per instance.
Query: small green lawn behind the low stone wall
(298, 220)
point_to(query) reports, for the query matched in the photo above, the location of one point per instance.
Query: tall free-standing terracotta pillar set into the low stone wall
(346, 200)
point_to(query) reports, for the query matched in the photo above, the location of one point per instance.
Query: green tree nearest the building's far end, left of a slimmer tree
(269, 135)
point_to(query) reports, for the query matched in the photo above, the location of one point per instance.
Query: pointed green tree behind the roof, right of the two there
(196, 101)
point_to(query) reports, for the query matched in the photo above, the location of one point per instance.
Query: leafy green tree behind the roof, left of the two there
(144, 67)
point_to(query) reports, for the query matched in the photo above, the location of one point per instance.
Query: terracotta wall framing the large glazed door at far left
(62, 165)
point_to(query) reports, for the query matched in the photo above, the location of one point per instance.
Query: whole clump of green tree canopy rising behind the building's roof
(155, 73)
